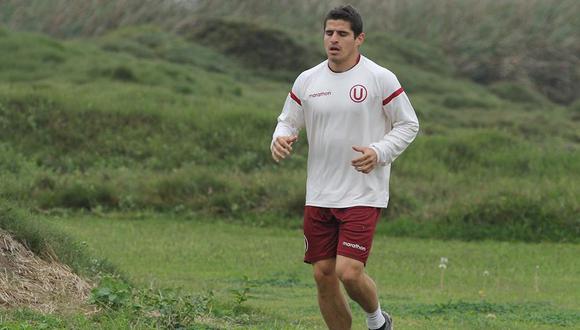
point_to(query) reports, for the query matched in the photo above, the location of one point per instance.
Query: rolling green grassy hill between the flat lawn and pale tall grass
(141, 118)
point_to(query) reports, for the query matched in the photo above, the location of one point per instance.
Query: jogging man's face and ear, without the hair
(339, 41)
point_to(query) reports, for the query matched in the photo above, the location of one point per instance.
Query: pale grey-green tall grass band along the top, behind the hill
(518, 40)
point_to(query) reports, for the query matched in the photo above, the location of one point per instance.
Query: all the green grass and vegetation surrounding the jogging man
(163, 113)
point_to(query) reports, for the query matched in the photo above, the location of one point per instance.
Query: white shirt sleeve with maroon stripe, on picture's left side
(291, 120)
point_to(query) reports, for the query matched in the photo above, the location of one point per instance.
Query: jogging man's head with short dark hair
(343, 34)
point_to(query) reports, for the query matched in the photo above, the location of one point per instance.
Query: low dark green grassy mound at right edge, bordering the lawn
(508, 215)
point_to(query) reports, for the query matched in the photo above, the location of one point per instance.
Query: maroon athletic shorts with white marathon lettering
(345, 231)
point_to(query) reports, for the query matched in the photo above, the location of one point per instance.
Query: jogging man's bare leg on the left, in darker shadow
(332, 302)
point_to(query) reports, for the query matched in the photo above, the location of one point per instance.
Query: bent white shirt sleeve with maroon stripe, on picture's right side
(401, 118)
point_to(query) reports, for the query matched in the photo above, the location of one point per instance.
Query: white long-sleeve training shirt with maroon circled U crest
(364, 106)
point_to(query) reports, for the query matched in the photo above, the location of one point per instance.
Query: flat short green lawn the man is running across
(528, 286)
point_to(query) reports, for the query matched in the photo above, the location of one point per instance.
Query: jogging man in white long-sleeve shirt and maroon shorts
(358, 120)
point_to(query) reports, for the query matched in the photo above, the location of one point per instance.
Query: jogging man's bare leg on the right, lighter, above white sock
(359, 286)
